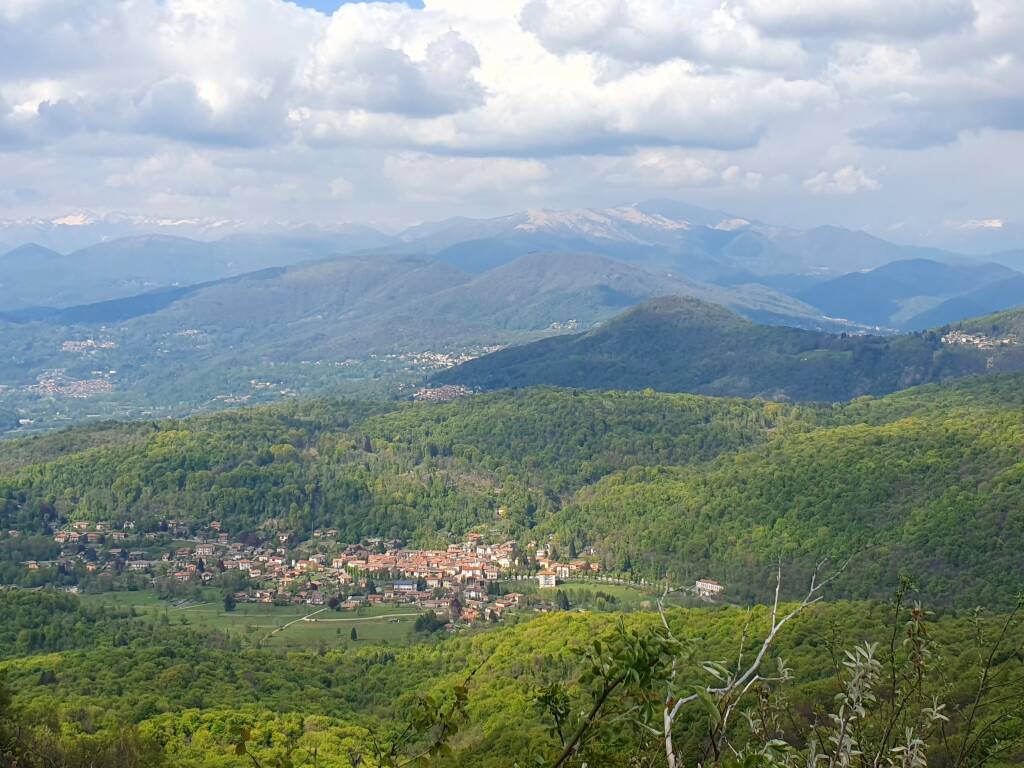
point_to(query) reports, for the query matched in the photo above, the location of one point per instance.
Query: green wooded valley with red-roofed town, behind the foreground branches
(264, 566)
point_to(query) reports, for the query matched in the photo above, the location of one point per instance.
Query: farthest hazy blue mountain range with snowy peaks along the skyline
(694, 243)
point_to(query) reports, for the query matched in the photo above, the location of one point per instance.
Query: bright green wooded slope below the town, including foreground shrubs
(109, 689)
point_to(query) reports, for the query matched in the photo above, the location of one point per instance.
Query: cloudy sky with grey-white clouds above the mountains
(905, 118)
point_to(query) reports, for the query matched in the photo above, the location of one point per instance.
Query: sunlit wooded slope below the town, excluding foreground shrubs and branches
(155, 692)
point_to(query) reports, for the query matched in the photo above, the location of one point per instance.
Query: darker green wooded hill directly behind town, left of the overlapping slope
(412, 472)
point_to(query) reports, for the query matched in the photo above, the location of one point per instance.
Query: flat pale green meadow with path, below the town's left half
(288, 626)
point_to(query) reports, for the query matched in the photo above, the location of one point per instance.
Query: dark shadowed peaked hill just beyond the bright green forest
(686, 346)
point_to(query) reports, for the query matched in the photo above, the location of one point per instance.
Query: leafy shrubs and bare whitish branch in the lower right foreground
(888, 712)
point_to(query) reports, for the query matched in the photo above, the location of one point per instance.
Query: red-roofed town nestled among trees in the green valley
(471, 581)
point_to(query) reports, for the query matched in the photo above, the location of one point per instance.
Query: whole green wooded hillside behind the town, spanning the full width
(928, 481)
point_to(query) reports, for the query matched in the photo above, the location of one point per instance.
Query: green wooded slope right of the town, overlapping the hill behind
(927, 484)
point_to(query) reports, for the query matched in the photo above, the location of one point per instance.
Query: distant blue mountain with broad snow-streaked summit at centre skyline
(702, 244)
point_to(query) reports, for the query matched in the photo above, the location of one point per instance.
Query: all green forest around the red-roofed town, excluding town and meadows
(912, 497)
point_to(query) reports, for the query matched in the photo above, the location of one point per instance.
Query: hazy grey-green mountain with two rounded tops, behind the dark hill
(362, 304)
